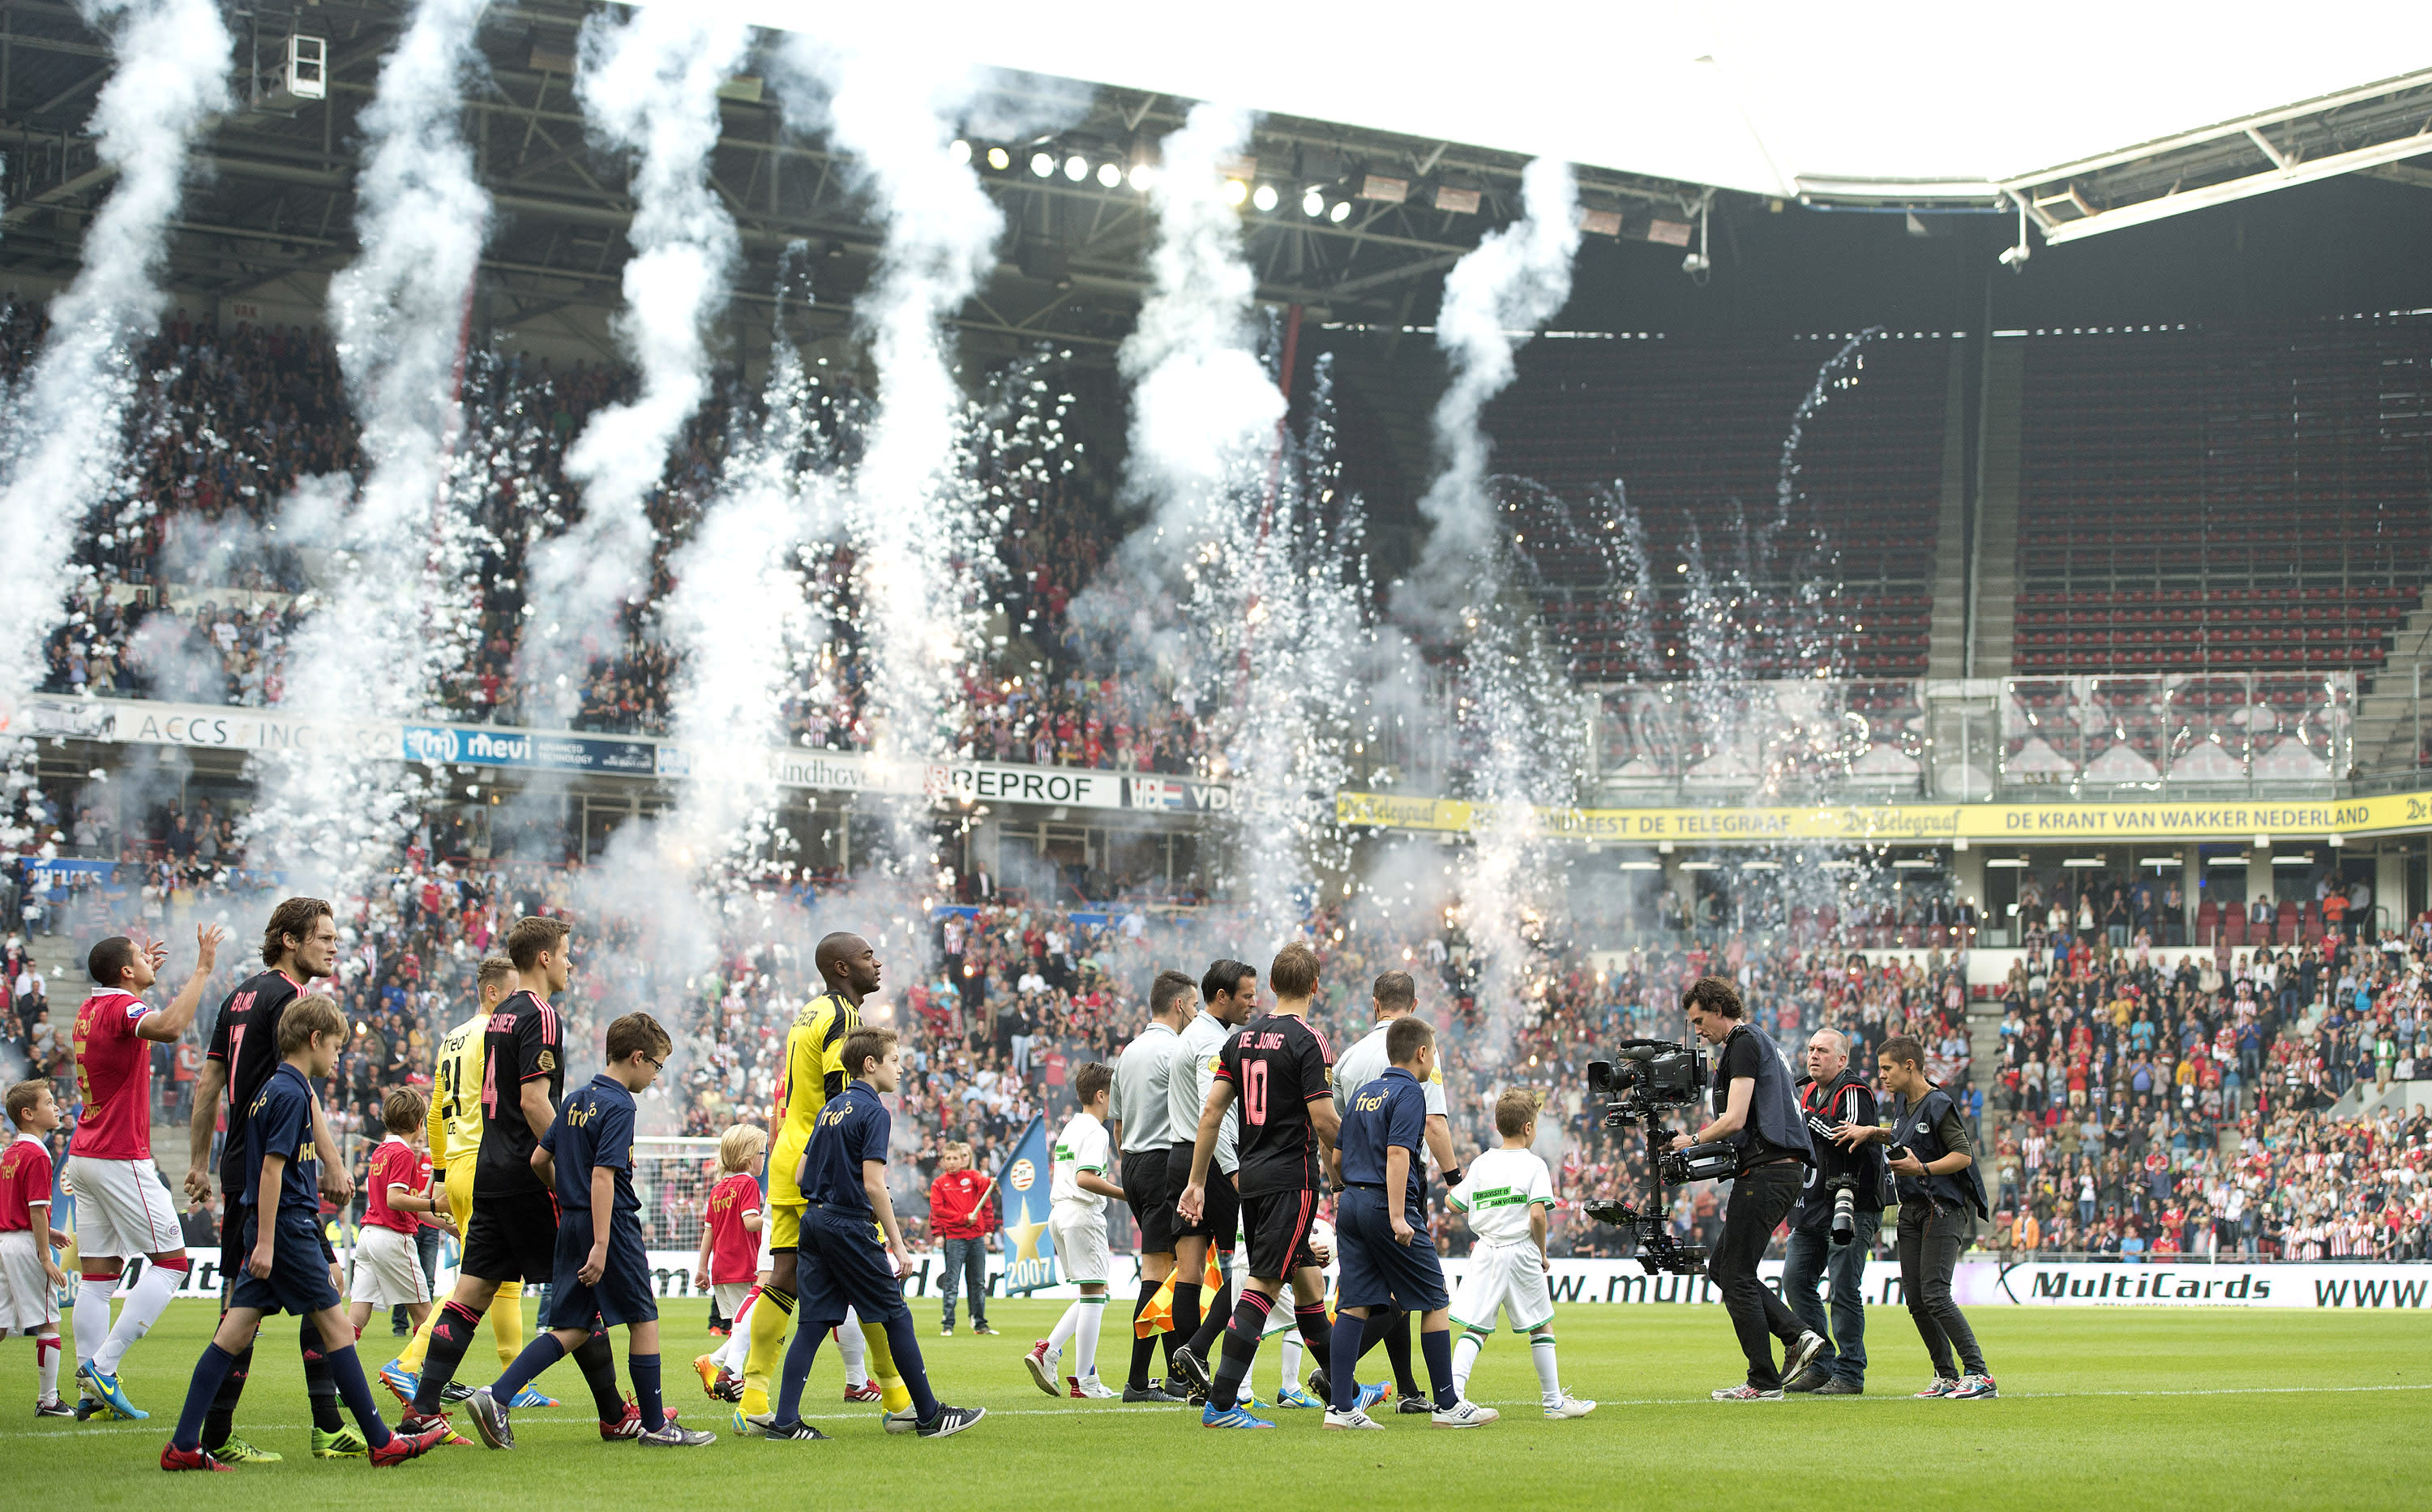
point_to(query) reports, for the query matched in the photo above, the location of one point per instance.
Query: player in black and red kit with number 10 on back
(1278, 1071)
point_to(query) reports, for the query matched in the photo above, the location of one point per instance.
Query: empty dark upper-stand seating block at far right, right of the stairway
(2248, 497)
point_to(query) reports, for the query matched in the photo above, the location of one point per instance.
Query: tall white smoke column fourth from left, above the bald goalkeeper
(891, 103)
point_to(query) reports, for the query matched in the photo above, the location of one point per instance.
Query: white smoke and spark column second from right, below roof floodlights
(1242, 531)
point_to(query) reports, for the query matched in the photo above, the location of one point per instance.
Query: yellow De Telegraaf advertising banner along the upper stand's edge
(1920, 823)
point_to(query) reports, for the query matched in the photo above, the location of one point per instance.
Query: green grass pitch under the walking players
(2188, 1409)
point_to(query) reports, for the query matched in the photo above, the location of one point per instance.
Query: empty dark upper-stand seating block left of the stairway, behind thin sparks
(1694, 436)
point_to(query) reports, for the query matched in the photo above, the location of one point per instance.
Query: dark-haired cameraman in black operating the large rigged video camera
(1757, 1112)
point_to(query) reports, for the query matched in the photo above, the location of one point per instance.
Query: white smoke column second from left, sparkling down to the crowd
(393, 614)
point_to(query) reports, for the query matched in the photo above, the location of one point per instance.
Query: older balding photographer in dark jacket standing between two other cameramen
(1833, 1095)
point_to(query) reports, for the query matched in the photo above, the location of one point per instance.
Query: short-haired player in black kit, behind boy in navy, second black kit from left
(514, 1214)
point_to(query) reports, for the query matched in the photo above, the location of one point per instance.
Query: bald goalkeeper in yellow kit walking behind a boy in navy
(814, 1073)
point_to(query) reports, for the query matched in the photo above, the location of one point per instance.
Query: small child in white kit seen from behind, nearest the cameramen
(1507, 1197)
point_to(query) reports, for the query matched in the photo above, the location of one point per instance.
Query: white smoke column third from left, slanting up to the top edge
(651, 89)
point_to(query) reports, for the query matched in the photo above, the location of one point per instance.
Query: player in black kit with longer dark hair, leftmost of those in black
(300, 944)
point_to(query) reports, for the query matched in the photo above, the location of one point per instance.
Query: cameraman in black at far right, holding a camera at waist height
(1937, 1190)
